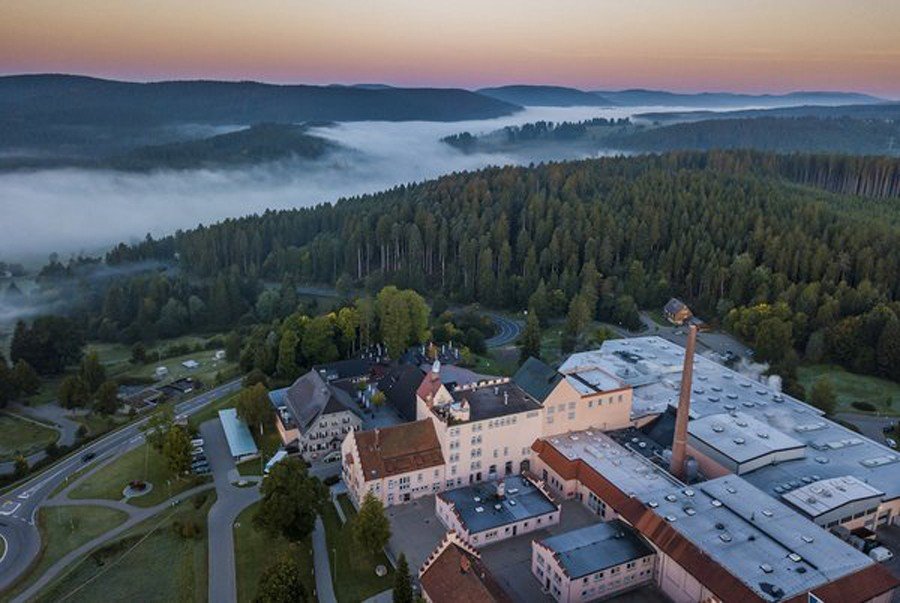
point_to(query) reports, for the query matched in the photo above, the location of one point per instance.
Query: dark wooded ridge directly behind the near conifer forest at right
(774, 134)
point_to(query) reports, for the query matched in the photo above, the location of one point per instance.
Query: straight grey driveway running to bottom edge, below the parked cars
(230, 501)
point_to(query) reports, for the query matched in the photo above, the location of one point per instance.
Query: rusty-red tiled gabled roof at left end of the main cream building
(398, 449)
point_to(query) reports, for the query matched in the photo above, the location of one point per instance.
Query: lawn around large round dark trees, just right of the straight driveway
(254, 551)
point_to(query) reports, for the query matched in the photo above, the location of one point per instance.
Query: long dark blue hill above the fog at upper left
(81, 116)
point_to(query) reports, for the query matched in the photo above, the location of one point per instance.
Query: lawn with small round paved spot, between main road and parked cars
(143, 463)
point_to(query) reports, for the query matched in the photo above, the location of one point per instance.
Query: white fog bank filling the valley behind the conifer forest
(72, 210)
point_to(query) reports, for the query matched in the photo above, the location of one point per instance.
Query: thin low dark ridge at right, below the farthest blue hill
(860, 111)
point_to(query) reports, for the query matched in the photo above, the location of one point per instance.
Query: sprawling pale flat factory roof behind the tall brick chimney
(653, 365)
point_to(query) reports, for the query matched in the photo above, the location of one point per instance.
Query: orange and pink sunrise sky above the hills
(684, 45)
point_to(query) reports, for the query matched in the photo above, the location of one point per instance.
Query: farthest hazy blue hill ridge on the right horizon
(638, 97)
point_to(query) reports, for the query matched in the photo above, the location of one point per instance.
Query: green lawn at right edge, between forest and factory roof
(851, 387)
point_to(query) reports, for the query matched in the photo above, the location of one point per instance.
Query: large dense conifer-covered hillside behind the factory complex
(722, 229)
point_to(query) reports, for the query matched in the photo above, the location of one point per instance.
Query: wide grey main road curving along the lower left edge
(19, 507)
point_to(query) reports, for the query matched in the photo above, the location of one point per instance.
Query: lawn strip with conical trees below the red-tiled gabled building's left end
(352, 570)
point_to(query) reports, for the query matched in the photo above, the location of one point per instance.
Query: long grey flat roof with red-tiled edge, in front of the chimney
(746, 531)
